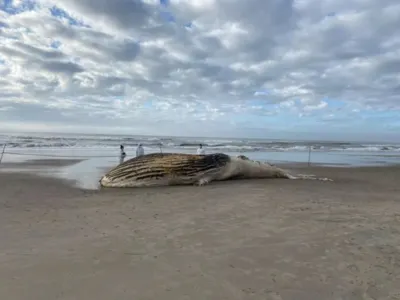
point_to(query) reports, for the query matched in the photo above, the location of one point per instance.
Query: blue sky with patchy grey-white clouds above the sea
(278, 68)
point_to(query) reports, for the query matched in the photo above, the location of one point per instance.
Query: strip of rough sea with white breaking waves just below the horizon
(223, 145)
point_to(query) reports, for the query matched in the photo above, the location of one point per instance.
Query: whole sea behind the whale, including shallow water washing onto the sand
(101, 152)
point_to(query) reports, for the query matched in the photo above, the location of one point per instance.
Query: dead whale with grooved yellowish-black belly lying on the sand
(157, 169)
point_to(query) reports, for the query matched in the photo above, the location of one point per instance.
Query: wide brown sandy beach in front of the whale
(259, 239)
